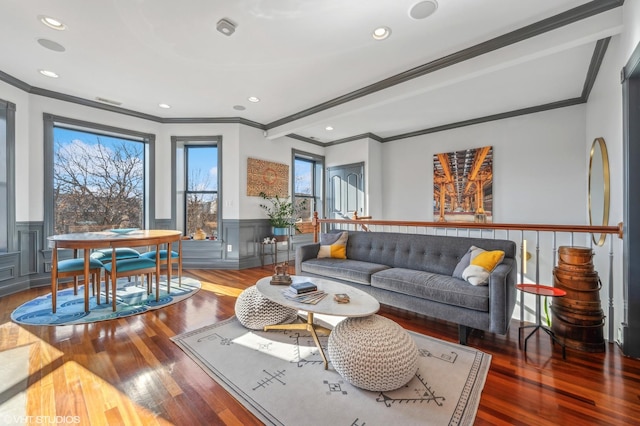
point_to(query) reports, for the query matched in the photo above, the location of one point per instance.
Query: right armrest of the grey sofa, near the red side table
(502, 295)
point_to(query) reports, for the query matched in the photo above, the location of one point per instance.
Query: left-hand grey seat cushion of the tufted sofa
(344, 269)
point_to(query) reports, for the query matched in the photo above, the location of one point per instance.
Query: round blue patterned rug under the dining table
(132, 299)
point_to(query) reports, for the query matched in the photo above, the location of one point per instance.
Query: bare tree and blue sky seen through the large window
(98, 182)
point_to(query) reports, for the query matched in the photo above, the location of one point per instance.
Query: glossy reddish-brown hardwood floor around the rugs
(128, 372)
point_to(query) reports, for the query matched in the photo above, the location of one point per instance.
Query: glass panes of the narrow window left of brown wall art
(201, 194)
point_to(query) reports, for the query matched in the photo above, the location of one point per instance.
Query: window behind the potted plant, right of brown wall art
(307, 184)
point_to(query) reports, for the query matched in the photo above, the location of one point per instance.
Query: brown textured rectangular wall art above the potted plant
(268, 177)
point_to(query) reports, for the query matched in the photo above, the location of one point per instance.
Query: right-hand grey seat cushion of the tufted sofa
(435, 287)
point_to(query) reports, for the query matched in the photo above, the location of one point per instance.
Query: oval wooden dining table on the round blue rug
(88, 241)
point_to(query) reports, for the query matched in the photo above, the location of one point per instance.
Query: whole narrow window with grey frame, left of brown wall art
(196, 184)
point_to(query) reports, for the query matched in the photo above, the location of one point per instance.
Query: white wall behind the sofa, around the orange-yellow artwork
(539, 168)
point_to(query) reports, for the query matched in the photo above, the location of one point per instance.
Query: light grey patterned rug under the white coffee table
(279, 377)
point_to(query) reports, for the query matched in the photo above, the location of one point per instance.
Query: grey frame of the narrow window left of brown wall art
(179, 166)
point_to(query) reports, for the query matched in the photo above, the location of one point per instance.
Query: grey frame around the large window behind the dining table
(51, 121)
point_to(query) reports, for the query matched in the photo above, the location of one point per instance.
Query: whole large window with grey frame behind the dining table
(98, 177)
